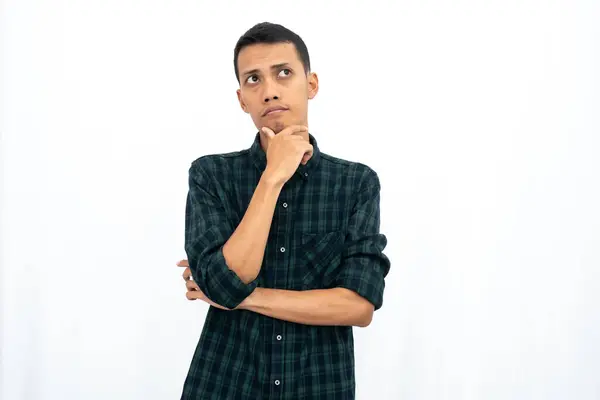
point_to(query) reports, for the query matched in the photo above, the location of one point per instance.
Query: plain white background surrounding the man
(481, 118)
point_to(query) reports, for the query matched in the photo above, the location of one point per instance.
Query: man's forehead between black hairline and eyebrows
(262, 56)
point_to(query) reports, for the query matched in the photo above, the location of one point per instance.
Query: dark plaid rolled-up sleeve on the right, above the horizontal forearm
(364, 265)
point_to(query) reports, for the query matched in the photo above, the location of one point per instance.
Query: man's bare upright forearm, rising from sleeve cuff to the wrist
(245, 249)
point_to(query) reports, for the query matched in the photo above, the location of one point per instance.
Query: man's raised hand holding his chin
(285, 151)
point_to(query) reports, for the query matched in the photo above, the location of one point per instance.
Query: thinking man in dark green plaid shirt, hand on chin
(282, 241)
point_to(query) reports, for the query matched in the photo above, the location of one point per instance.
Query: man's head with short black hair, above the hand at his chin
(273, 68)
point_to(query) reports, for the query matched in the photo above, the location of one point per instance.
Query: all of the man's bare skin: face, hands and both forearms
(272, 75)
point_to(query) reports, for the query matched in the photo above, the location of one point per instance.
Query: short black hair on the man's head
(267, 32)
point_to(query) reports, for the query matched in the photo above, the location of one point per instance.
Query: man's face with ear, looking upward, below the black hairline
(272, 76)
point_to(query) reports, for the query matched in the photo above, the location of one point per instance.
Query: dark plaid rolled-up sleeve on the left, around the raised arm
(207, 228)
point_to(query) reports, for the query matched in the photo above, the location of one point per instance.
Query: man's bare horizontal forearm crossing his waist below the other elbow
(337, 306)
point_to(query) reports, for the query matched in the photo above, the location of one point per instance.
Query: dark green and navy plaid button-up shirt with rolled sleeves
(324, 234)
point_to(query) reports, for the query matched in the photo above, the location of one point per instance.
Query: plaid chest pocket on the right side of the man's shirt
(319, 258)
